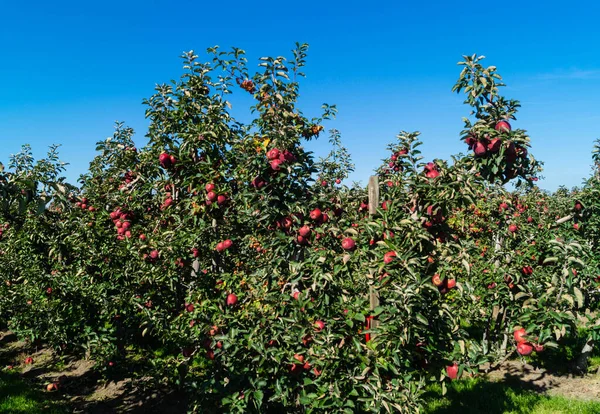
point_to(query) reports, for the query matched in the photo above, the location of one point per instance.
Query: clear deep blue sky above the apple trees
(70, 69)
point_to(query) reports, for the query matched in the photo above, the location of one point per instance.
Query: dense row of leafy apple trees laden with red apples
(243, 270)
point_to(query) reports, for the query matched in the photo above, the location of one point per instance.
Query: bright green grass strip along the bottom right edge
(479, 396)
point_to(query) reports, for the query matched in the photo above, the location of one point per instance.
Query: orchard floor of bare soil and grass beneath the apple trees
(514, 388)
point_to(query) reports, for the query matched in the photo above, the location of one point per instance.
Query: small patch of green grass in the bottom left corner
(18, 396)
